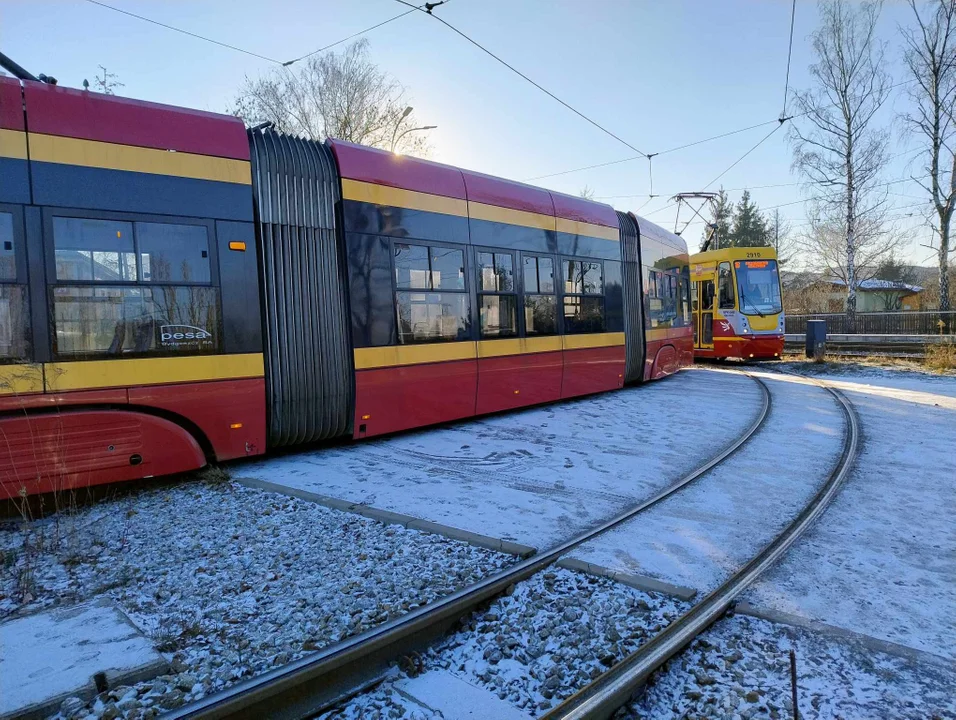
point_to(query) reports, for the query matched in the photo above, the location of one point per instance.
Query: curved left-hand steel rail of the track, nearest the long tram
(310, 685)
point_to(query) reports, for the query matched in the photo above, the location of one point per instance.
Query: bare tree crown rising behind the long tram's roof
(344, 96)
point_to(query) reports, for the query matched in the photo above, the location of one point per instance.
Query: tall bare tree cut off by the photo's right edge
(930, 56)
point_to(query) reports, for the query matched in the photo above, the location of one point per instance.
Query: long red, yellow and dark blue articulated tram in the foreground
(175, 289)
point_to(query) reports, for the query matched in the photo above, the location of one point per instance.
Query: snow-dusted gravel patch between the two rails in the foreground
(535, 647)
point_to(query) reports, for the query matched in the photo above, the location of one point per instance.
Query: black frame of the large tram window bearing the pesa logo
(52, 282)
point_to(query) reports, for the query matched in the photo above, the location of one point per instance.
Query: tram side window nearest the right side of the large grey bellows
(430, 298)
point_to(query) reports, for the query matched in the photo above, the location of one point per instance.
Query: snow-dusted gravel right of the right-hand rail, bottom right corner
(740, 669)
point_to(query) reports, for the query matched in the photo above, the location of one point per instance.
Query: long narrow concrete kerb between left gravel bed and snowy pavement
(393, 518)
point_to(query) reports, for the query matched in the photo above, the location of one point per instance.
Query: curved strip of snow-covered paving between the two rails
(700, 536)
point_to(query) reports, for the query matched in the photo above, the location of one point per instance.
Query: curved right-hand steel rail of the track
(610, 691)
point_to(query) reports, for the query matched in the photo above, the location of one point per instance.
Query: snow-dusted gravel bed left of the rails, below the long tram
(227, 581)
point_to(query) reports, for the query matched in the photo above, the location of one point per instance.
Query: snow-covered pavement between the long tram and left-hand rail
(538, 476)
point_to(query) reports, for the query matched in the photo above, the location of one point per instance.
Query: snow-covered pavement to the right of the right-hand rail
(882, 560)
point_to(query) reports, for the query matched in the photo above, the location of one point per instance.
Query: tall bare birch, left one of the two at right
(838, 147)
